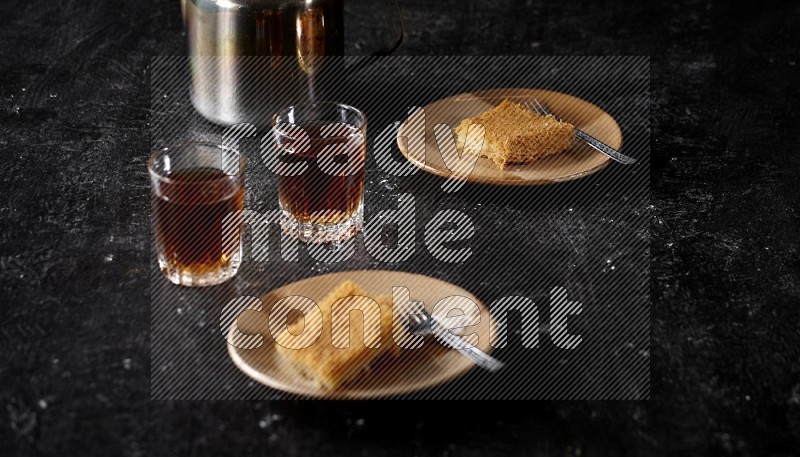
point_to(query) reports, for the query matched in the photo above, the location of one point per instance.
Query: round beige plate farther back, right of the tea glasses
(576, 162)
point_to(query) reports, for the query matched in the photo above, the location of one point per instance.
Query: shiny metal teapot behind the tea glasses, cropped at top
(251, 57)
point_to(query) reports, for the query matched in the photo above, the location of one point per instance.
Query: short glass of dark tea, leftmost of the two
(197, 198)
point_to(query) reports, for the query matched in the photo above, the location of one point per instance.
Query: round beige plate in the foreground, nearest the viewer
(413, 370)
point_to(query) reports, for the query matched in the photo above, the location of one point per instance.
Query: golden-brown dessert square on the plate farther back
(514, 134)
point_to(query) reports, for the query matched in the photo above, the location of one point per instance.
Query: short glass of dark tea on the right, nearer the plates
(321, 153)
